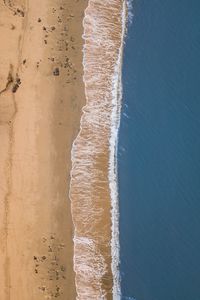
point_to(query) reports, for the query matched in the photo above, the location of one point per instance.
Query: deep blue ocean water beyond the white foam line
(159, 153)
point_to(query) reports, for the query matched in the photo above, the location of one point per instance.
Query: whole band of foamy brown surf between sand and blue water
(93, 187)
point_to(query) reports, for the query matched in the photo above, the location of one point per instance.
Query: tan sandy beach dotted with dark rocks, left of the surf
(41, 95)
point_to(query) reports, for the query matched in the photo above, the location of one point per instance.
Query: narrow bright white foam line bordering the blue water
(116, 101)
